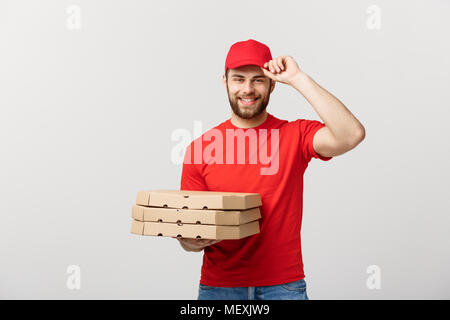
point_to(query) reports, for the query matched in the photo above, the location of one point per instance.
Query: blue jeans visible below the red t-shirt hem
(295, 290)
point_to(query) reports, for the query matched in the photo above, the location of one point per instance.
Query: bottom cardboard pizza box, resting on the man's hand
(199, 231)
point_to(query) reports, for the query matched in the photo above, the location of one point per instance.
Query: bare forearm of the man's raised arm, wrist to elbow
(340, 121)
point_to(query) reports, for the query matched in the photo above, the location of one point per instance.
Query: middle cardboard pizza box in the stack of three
(216, 217)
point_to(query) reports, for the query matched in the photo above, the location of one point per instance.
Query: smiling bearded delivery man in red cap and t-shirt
(267, 265)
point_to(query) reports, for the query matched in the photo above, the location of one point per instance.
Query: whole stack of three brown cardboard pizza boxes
(196, 214)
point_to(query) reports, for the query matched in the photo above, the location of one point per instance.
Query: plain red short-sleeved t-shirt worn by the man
(272, 256)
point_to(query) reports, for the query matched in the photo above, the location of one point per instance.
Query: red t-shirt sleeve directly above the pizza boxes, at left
(191, 178)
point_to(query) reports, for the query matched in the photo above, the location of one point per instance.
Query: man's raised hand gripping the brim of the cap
(283, 69)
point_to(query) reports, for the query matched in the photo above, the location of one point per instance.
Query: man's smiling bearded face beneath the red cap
(248, 91)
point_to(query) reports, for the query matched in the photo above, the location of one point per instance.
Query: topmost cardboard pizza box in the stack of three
(183, 199)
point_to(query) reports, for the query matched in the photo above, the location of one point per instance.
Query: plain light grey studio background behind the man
(87, 116)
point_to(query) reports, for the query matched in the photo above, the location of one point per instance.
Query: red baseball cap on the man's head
(247, 52)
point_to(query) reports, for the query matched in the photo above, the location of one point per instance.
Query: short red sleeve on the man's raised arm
(308, 129)
